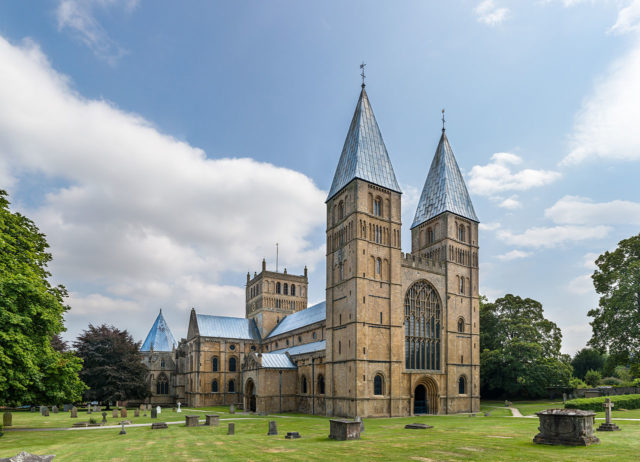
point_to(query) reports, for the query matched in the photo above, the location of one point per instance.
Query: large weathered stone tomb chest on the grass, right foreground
(571, 427)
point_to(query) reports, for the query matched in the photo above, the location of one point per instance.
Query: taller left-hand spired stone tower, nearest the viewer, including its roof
(364, 333)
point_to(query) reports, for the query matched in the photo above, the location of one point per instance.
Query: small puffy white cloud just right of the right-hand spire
(497, 176)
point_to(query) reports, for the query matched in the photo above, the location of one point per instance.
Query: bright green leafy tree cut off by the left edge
(31, 314)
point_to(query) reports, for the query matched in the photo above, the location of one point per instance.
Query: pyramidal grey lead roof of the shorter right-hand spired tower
(444, 190)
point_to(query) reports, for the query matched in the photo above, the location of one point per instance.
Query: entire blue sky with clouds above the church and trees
(165, 147)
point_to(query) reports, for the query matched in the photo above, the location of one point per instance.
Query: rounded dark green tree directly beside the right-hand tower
(520, 349)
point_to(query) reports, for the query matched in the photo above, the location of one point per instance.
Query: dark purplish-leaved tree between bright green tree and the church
(113, 366)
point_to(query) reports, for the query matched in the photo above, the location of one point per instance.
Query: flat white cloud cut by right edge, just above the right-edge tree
(576, 210)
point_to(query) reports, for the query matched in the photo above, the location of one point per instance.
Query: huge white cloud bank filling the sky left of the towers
(138, 220)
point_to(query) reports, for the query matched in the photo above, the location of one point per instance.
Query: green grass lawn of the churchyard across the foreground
(460, 437)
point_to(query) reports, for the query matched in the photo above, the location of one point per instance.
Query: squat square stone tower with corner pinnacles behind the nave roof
(271, 296)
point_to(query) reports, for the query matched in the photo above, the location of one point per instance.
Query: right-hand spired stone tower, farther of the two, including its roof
(445, 229)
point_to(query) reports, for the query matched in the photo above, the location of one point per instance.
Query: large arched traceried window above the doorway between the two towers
(422, 323)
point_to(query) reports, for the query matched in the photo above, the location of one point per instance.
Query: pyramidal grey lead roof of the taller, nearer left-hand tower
(364, 154)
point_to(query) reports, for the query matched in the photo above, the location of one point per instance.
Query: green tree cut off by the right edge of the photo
(616, 321)
